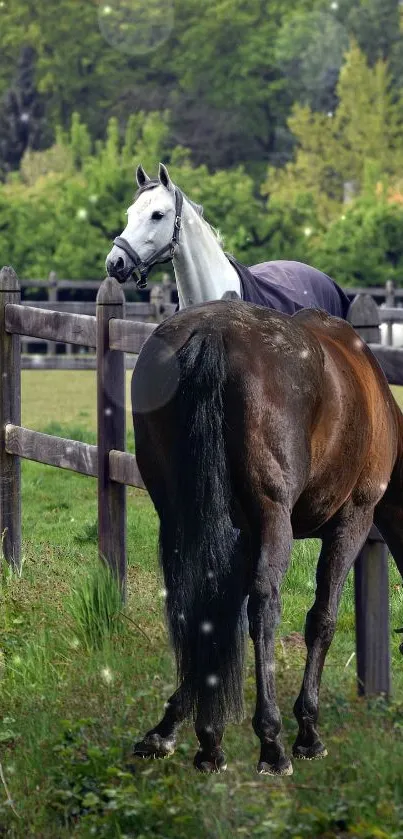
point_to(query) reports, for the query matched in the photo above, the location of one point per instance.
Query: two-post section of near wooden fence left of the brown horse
(112, 335)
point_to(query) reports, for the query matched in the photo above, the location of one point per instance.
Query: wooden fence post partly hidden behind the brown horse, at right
(371, 567)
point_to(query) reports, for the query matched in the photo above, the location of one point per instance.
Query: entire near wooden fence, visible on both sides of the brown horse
(113, 336)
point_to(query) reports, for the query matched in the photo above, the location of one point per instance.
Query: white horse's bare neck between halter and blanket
(202, 270)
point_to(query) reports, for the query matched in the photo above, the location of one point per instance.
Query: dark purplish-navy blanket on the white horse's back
(290, 286)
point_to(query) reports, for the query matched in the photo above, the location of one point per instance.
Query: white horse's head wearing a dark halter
(152, 230)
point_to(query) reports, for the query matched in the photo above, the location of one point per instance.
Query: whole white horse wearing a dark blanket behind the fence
(165, 224)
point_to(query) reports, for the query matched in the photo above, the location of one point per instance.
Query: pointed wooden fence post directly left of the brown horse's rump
(111, 431)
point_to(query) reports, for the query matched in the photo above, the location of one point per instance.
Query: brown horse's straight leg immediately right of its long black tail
(264, 615)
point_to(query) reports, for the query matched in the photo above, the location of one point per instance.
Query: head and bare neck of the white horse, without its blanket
(202, 270)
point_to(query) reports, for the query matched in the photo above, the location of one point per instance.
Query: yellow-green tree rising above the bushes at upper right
(333, 149)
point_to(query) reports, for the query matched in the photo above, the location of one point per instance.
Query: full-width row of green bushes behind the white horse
(65, 206)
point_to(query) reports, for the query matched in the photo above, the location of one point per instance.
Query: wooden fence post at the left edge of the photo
(10, 412)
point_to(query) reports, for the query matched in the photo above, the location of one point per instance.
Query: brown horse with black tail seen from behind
(253, 428)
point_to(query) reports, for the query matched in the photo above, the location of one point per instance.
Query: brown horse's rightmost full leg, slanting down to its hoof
(341, 544)
